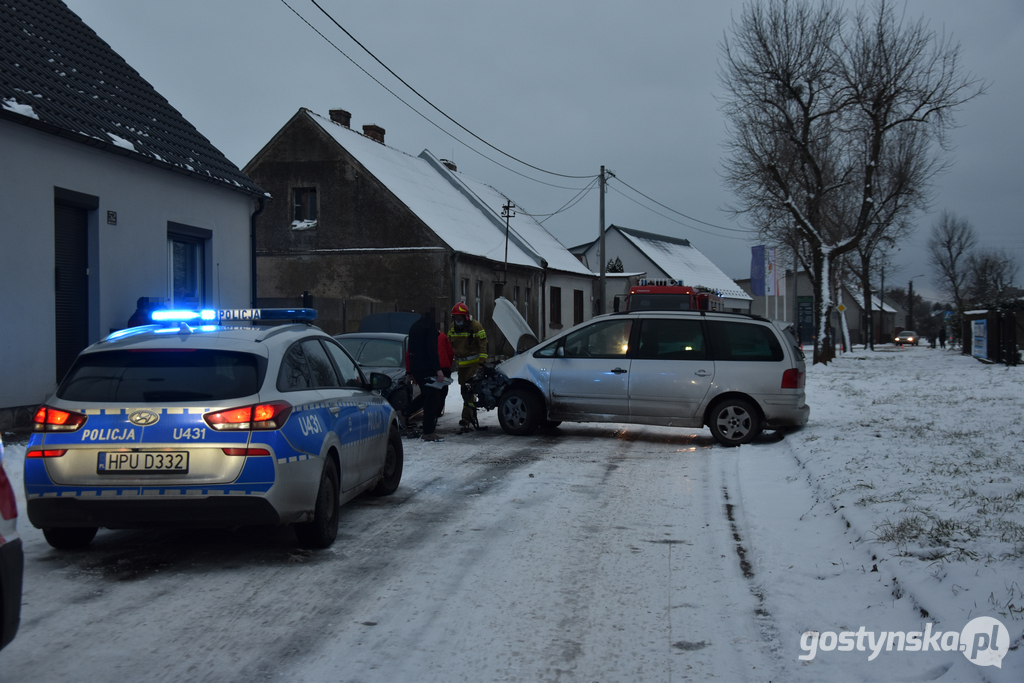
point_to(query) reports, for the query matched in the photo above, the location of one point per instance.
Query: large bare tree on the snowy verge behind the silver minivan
(833, 127)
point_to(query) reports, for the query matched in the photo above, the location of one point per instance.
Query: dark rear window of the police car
(163, 375)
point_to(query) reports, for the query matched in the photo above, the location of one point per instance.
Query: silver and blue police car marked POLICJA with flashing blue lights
(224, 418)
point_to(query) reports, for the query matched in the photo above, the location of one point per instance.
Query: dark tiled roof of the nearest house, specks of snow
(57, 75)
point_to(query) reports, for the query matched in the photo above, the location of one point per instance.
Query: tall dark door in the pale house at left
(71, 297)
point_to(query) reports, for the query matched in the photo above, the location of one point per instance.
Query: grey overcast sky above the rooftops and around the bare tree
(567, 87)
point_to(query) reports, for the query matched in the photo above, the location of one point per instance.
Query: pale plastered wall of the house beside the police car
(130, 260)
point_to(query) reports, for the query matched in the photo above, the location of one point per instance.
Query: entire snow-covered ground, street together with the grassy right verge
(900, 508)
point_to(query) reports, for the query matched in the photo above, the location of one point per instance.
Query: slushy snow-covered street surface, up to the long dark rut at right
(598, 554)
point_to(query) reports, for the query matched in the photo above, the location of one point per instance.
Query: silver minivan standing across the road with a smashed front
(738, 374)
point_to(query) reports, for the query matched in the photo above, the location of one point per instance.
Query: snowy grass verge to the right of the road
(920, 452)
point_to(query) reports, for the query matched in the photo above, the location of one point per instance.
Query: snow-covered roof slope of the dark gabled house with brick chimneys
(457, 221)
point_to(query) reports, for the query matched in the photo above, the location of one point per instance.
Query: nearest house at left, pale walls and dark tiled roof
(109, 195)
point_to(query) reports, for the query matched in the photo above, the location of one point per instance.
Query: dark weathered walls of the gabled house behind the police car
(369, 252)
